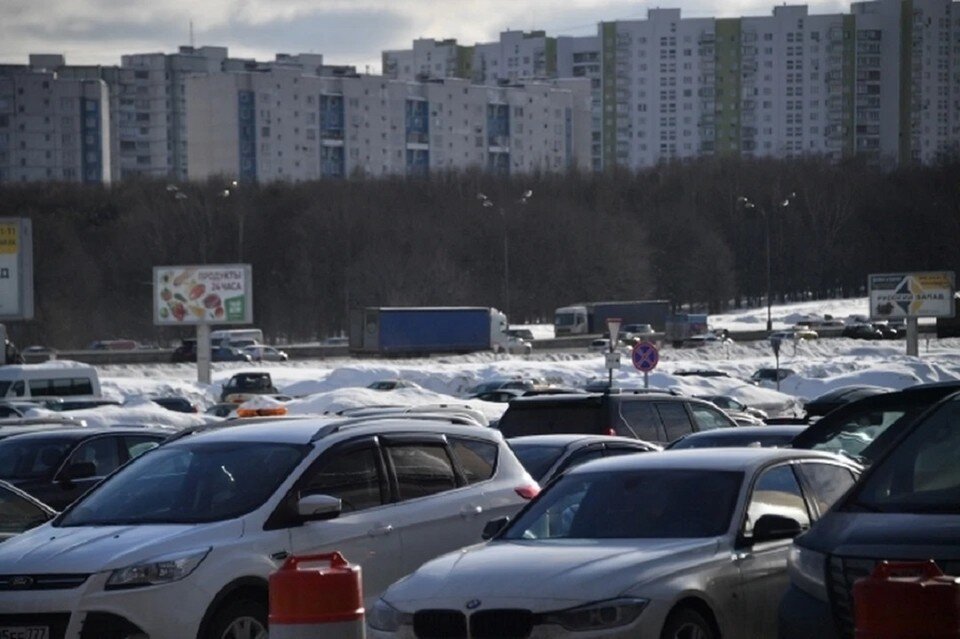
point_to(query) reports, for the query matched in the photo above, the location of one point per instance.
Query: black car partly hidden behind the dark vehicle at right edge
(864, 429)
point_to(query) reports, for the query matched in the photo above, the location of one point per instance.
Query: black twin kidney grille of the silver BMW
(486, 624)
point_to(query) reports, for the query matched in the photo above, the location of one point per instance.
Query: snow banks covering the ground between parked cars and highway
(332, 384)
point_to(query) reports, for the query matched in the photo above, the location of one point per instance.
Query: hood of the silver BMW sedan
(548, 572)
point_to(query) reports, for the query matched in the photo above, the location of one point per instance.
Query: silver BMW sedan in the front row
(675, 545)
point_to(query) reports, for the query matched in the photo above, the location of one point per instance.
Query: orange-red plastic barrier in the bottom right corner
(907, 600)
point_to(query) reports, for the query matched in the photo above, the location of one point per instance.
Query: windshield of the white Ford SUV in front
(191, 482)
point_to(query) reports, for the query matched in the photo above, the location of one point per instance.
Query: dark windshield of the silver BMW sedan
(632, 504)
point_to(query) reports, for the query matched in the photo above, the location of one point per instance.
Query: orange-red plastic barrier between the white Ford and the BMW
(316, 596)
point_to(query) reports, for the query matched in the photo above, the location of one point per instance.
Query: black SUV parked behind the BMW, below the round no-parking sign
(655, 417)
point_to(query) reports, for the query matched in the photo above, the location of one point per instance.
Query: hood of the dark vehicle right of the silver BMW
(886, 535)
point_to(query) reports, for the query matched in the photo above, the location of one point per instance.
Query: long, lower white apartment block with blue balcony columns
(280, 124)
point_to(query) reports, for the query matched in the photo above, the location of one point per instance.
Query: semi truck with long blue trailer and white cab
(427, 330)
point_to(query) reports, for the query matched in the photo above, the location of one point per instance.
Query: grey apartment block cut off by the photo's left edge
(52, 128)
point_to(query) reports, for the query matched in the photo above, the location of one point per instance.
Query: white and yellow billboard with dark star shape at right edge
(901, 295)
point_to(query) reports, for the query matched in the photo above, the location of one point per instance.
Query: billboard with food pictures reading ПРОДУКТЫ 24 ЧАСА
(207, 294)
